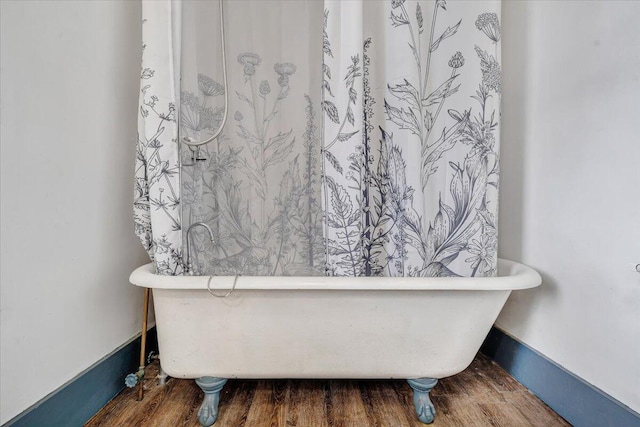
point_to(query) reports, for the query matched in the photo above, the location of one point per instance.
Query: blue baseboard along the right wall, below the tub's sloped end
(575, 400)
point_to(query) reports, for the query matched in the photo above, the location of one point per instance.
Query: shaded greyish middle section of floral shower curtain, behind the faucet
(259, 185)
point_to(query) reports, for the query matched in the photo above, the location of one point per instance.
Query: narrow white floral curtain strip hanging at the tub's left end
(156, 204)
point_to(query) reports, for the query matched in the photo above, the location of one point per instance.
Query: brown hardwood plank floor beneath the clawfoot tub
(482, 395)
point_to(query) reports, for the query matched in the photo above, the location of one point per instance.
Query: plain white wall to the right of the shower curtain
(570, 185)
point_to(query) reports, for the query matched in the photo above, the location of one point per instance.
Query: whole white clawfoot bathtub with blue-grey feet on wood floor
(421, 329)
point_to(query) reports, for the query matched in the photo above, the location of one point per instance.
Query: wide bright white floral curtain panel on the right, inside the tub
(413, 171)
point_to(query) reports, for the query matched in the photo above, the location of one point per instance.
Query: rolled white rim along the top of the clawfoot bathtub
(512, 276)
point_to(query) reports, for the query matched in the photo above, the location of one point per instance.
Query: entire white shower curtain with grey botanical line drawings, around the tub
(362, 137)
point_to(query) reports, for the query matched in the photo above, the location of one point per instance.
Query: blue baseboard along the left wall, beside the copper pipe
(77, 401)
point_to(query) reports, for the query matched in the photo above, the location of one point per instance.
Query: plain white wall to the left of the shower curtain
(68, 112)
